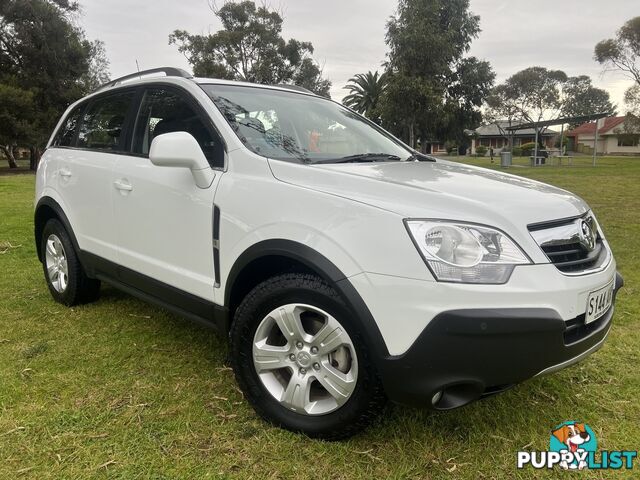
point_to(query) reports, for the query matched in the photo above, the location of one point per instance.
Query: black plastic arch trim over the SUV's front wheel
(329, 272)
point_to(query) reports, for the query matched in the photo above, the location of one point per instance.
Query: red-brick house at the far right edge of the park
(613, 137)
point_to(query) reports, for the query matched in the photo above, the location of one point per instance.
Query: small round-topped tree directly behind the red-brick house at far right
(582, 98)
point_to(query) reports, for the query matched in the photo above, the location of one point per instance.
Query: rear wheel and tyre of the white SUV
(66, 279)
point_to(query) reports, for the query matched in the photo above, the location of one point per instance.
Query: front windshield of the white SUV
(301, 128)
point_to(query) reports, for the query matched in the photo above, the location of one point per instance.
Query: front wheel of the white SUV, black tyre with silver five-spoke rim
(334, 413)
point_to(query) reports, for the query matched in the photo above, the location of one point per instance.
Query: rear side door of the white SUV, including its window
(84, 171)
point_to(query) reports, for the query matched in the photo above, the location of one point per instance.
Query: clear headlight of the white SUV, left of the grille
(466, 253)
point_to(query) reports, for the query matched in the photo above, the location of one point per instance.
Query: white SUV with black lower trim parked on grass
(345, 268)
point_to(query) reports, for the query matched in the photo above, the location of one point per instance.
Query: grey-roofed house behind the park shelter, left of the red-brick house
(495, 135)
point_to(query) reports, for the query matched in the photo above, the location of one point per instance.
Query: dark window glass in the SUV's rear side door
(103, 123)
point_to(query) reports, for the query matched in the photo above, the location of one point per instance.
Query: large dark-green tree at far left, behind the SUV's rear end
(42, 51)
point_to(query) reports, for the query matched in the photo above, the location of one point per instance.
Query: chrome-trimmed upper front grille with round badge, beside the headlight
(573, 245)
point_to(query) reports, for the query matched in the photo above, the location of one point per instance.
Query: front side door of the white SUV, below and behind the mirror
(164, 221)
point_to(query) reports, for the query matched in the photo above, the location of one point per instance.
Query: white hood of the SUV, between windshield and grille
(440, 189)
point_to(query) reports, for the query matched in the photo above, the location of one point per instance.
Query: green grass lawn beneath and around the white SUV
(121, 389)
